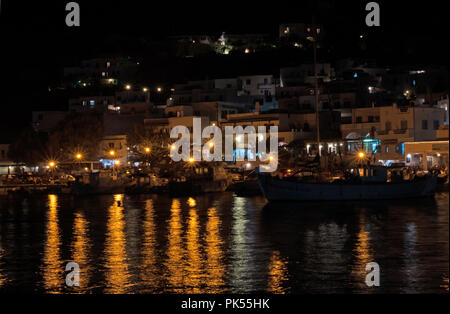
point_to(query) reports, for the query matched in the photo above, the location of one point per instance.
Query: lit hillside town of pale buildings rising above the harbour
(115, 121)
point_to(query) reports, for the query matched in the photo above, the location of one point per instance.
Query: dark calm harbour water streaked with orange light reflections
(220, 243)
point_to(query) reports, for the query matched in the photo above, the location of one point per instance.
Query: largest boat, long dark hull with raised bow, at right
(373, 185)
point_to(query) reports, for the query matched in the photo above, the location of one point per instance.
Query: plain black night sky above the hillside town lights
(36, 43)
